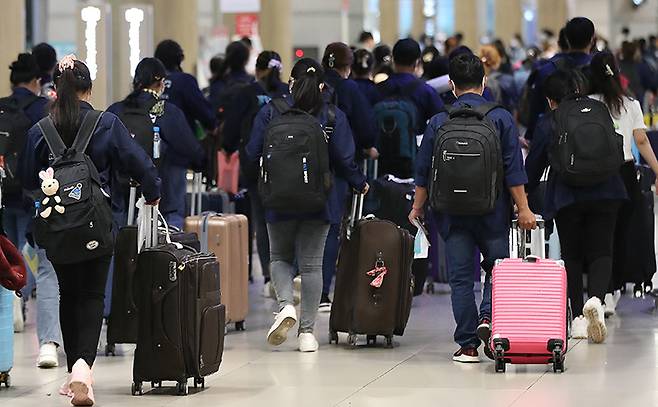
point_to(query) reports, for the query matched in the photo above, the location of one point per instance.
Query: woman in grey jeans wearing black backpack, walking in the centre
(298, 141)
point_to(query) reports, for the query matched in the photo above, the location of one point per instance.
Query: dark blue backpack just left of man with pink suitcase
(397, 121)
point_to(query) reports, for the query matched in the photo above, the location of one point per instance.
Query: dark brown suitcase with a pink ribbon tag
(374, 282)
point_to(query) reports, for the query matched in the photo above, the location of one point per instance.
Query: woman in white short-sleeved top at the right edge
(605, 81)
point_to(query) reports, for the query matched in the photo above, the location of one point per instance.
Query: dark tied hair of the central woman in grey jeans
(307, 76)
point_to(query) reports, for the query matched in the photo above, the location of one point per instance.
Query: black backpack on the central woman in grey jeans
(295, 173)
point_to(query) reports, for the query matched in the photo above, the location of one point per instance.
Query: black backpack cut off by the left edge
(14, 125)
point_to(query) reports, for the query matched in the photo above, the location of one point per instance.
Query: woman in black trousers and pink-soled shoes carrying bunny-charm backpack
(82, 283)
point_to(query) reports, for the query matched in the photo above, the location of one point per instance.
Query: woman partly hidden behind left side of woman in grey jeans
(239, 117)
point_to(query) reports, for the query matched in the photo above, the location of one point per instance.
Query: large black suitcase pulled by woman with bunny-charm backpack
(182, 322)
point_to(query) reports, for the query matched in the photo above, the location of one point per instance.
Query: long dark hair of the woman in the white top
(605, 80)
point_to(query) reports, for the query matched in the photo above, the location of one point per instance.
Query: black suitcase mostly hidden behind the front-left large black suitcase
(122, 321)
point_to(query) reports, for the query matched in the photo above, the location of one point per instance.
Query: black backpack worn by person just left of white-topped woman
(586, 150)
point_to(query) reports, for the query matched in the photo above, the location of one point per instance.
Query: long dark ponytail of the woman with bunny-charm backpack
(69, 82)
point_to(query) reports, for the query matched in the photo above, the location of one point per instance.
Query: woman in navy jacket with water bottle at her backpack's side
(179, 149)
